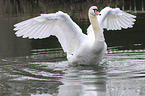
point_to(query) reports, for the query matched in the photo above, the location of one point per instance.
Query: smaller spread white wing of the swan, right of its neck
(115, 19)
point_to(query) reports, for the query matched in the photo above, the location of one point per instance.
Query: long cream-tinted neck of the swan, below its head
(98, 32)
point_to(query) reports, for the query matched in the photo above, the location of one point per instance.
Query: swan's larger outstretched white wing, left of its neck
(59, 24)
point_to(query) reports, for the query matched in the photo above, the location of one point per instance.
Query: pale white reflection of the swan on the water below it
(83, 81)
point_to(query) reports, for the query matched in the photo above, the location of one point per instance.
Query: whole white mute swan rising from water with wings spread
(80, 48)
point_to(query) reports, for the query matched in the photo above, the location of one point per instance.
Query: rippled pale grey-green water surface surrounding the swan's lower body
(47, 73)
